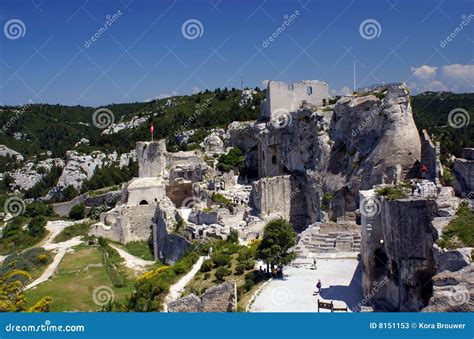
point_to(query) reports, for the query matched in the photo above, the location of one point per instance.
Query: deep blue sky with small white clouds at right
(143, 54)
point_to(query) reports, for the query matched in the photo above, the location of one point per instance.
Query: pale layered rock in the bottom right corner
(453, 291)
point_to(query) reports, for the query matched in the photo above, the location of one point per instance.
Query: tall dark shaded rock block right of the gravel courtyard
(397, 247)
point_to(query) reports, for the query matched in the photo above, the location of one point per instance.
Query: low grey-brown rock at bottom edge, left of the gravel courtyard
(220, 298)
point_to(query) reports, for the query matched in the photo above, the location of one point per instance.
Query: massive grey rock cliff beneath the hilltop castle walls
(366, 140)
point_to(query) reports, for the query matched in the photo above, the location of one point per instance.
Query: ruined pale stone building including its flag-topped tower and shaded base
(147, 208)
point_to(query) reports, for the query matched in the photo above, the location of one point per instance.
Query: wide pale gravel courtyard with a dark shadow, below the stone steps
(340, 280)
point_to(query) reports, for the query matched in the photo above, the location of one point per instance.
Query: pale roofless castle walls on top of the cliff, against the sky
(281, 96)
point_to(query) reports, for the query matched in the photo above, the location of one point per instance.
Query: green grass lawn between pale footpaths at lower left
(72, 287)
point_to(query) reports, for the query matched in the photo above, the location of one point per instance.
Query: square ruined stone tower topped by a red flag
(151, 158)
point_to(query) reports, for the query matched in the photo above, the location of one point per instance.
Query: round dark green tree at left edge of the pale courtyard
(278, 237)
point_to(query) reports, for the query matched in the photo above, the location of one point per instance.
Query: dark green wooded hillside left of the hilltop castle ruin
(37, 128)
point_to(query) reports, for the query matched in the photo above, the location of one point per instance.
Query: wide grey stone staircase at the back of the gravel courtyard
(312, 242)
